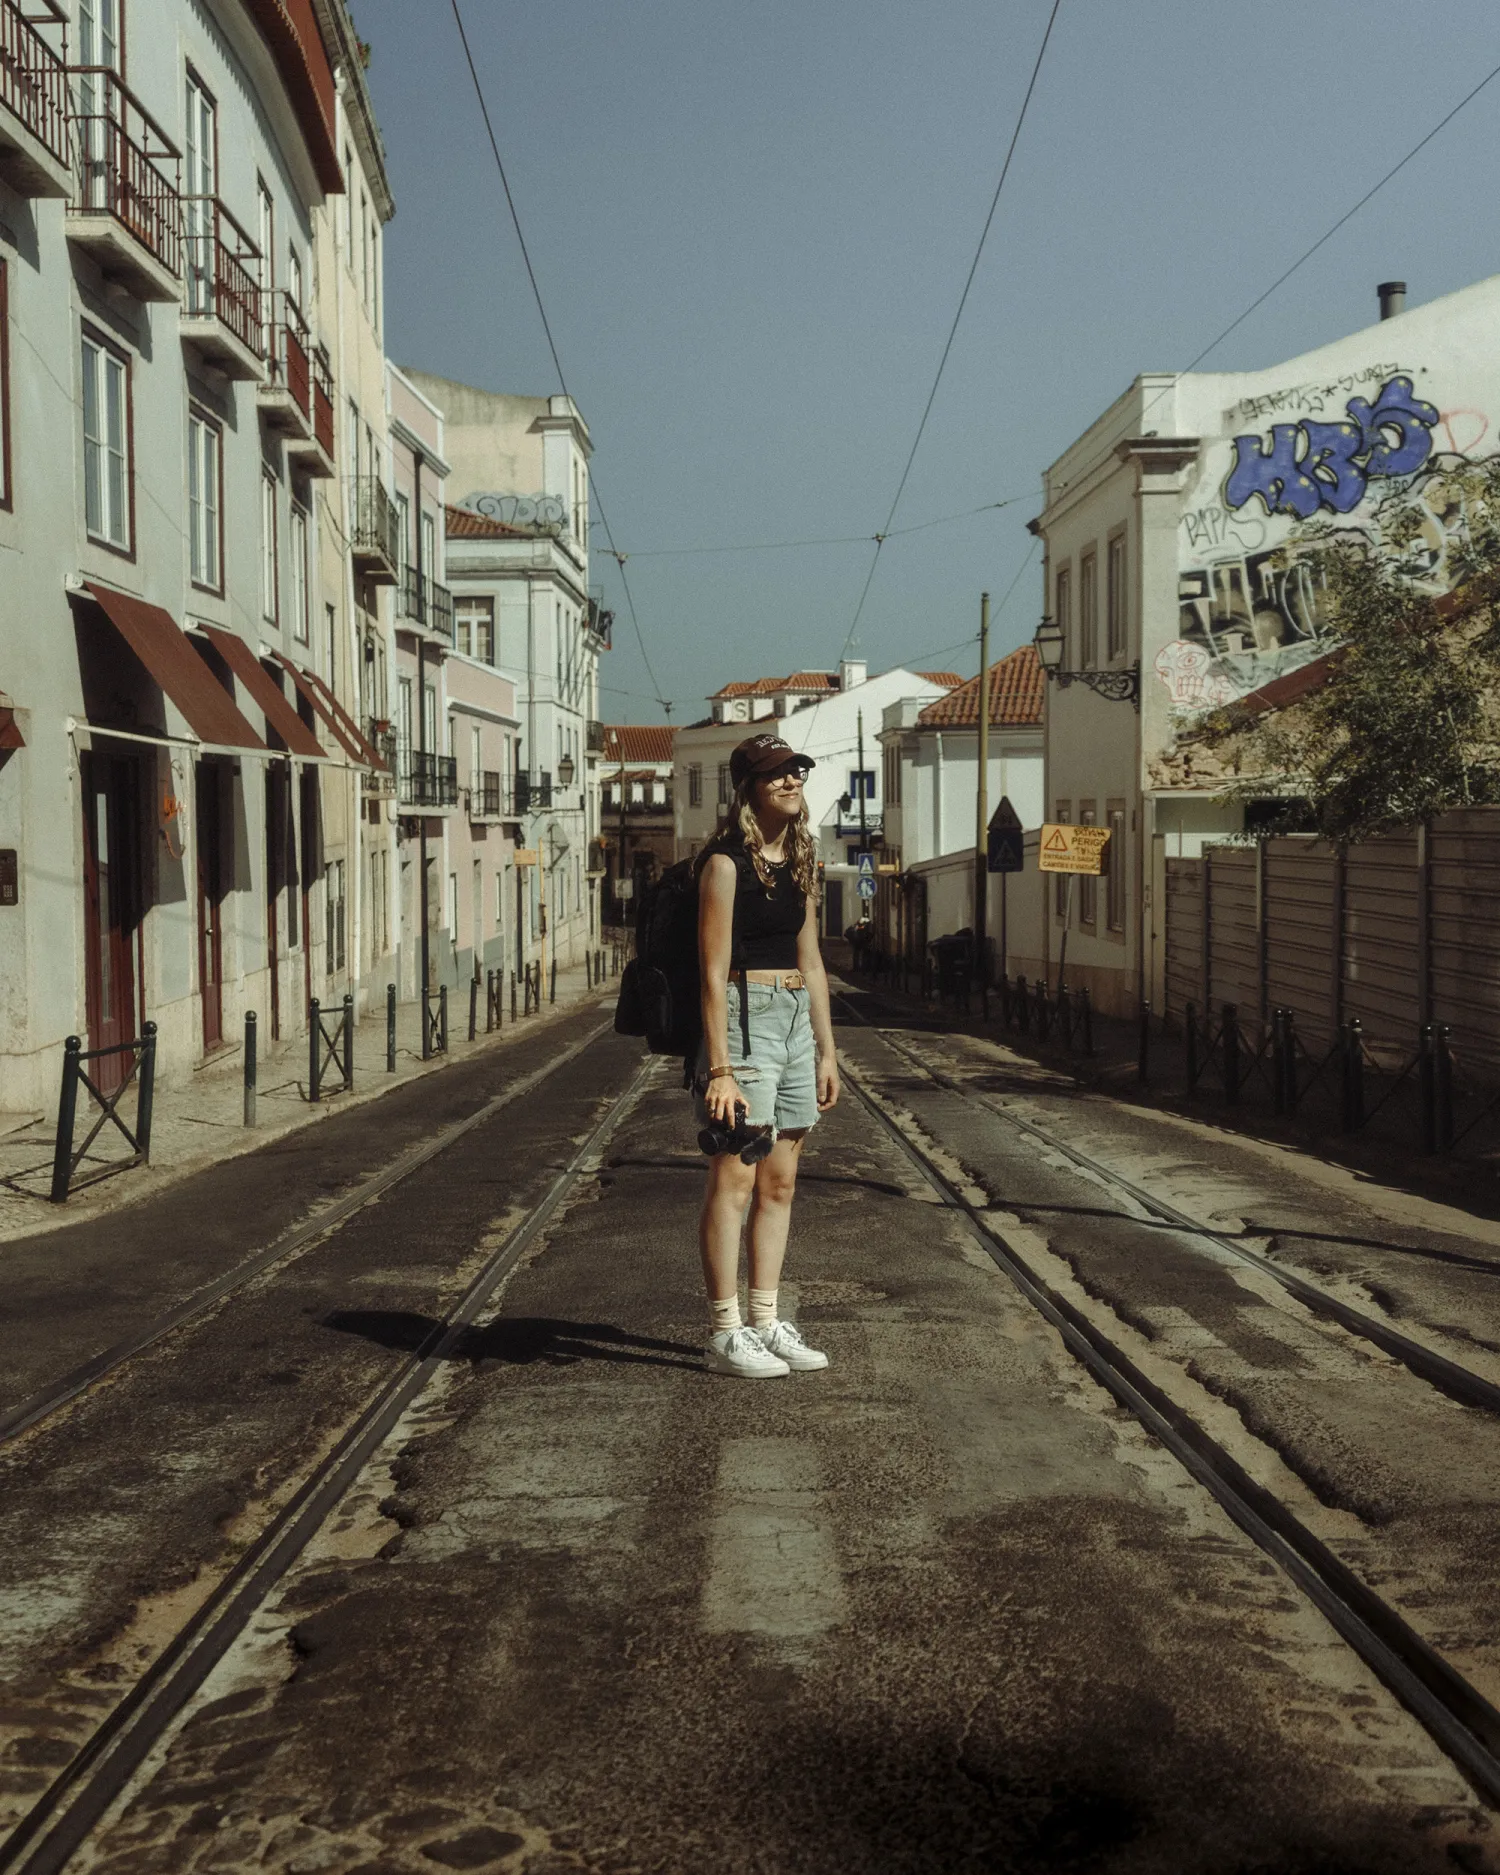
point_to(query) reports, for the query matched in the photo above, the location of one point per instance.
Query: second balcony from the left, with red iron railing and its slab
(127, 209)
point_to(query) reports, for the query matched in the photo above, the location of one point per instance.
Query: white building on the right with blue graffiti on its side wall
(1173, 552)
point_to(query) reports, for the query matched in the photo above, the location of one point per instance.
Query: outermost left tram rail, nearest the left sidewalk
(80, 1381)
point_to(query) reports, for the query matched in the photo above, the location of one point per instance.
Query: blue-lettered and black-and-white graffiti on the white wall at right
(1253, 599)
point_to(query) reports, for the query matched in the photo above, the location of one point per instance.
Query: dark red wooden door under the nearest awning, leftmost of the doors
(112, 809)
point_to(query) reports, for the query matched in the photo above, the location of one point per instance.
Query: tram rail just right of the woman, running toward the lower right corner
(1439, 1696)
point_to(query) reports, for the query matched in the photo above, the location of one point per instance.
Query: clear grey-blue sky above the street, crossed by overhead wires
(753, 224)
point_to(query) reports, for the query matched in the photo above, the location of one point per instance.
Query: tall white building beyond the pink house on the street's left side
(518, 565)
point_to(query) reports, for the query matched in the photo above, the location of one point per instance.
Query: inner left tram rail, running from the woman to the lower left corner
(72, 1807)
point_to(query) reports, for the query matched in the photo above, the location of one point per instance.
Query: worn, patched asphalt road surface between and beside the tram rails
(942, 1608)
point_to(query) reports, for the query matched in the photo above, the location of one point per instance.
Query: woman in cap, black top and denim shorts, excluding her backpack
(768, 1045)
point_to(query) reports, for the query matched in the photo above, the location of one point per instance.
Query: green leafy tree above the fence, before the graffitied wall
(1407, 721)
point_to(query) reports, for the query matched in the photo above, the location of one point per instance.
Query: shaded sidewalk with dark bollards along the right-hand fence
(1387, 1150)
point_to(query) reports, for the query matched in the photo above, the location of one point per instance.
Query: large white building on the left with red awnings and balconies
(181, 775)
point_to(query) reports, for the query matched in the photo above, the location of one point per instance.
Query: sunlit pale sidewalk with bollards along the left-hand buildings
(202, 1120)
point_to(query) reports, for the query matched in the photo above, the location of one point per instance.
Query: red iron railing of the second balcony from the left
(119, 157)
